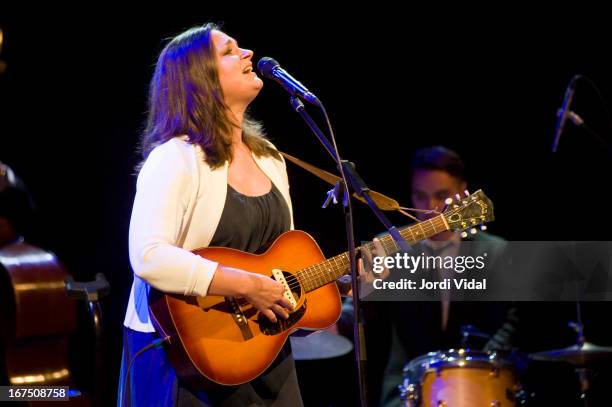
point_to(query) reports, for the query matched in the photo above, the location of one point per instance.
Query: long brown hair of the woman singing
(185, 98)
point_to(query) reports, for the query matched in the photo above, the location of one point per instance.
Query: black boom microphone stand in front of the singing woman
(358, 186)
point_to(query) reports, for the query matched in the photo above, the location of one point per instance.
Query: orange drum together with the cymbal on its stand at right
(464, 377)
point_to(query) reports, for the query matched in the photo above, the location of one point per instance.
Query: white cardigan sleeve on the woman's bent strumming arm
(162, 192)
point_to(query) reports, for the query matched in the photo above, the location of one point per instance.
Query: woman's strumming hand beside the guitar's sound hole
(266, 295)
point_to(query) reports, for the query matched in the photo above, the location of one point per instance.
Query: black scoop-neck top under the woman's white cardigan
(251, 223)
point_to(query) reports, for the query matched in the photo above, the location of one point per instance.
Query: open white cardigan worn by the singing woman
(178, 205)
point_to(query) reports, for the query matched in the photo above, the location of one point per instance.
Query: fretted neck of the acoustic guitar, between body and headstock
(331, 269)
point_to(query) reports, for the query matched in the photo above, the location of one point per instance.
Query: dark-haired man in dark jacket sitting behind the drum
(417, 327)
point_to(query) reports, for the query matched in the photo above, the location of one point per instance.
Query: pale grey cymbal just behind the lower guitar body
(319, 345)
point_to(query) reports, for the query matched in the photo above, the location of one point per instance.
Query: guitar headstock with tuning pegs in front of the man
(469, 211)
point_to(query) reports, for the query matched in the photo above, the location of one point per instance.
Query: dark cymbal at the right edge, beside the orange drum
(587, 354)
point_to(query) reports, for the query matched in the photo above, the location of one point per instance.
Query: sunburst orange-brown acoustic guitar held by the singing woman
(227, 341)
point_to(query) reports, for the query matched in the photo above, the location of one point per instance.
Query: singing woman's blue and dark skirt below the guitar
(153, 382)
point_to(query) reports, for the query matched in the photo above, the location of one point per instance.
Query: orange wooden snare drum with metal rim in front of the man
(459, 378)
